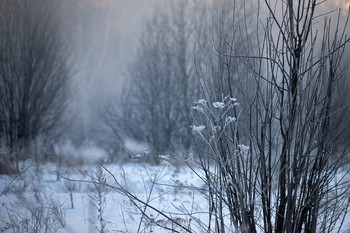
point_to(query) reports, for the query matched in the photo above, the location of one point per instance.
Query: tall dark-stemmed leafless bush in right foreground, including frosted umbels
(286, 175)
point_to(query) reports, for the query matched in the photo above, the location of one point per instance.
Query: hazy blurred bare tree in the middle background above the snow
(162, 82)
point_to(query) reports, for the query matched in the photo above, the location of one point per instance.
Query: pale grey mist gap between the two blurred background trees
(104, 37)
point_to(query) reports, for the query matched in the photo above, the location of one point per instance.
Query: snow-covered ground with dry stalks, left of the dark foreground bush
(70, 189)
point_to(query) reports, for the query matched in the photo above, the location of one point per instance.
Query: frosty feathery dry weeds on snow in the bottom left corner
(34, 210)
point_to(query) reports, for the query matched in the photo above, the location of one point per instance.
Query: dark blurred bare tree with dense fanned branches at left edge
(34, 72)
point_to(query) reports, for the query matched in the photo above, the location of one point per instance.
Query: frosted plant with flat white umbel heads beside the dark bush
(220, 155)
